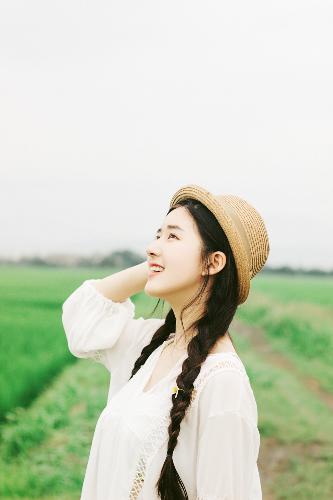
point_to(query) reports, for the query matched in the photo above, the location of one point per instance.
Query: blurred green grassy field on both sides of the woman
(50, 401)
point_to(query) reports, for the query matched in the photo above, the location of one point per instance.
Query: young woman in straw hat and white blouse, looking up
(181, 418)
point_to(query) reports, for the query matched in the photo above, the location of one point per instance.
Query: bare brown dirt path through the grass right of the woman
(274, 456)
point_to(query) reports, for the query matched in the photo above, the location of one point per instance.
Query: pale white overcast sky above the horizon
(108, 107)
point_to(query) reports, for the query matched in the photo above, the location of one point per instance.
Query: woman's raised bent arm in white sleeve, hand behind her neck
(99, 319)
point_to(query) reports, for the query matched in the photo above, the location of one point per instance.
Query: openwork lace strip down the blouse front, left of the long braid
(153, 441)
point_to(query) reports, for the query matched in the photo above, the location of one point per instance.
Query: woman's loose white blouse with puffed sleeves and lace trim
(218, 443)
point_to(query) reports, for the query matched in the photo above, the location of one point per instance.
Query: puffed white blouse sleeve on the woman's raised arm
(99, 328)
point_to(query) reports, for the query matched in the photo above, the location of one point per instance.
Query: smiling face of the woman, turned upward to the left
(178, 250)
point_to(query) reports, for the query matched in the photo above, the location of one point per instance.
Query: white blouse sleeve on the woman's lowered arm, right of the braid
(227, 445)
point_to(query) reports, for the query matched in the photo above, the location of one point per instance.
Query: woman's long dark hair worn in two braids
(219, 311)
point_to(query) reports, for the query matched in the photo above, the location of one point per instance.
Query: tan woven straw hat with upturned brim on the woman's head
(243, 226)
